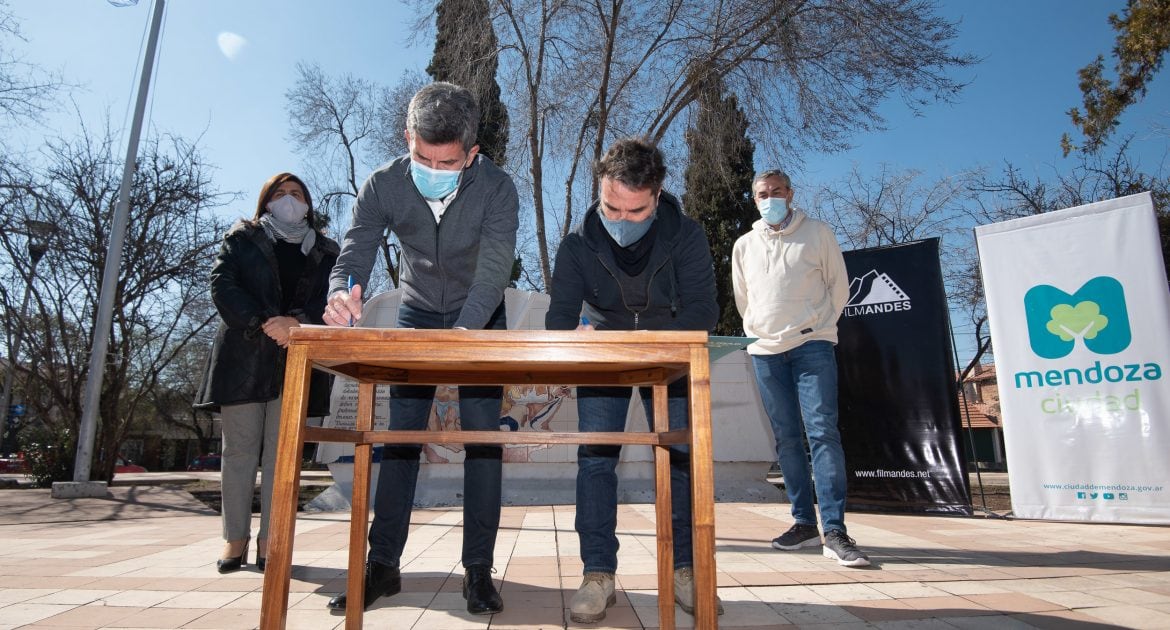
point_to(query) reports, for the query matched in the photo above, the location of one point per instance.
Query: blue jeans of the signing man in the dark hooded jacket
(604, 409)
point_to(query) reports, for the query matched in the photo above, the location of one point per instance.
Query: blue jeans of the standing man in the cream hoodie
(800, 394)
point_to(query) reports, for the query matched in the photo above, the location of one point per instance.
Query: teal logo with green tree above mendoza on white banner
(1096, 316)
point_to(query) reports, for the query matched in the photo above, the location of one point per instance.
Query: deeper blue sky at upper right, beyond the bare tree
(1014, 108)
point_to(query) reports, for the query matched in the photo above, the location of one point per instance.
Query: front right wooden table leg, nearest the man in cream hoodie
(703, 490)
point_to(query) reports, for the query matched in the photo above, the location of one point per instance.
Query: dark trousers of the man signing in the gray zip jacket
(410, 406)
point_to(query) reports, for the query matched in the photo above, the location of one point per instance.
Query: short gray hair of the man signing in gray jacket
(444, 113)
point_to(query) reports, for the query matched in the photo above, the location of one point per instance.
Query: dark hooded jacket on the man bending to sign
(678, 283)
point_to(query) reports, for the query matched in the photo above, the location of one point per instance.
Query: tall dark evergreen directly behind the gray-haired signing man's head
(467, 54)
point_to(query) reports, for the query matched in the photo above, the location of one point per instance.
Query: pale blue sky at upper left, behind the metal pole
(237, 104)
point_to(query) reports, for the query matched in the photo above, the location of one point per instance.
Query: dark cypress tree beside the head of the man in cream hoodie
(719, 188)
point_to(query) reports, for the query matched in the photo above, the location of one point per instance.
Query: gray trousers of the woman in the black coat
(250, 439)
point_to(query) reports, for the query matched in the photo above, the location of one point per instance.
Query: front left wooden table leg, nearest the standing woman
(286, 489)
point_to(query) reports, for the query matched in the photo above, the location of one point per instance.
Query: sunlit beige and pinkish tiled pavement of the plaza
(146, 559)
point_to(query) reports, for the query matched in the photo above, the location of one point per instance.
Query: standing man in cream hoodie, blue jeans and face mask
(790, 287)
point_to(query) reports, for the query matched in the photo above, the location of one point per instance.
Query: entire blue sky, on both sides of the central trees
(1014, 108)
